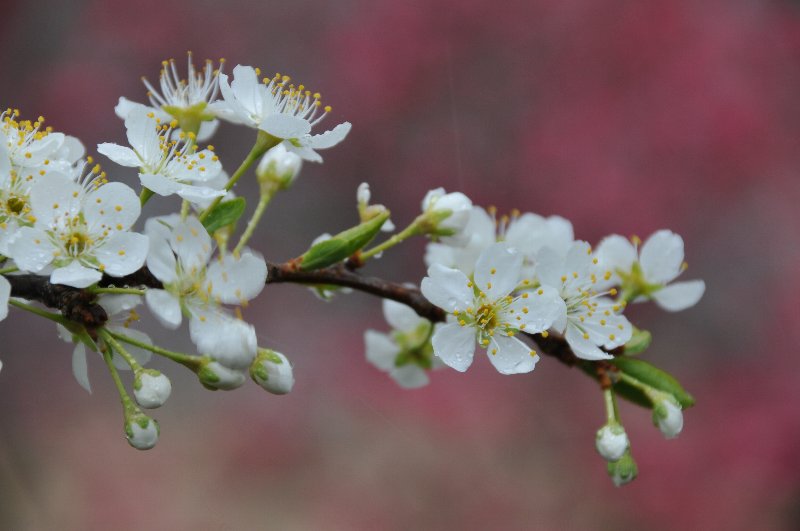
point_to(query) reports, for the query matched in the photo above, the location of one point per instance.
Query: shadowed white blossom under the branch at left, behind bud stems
(121, 314)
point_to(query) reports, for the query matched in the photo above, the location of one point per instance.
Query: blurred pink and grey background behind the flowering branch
(624, 117)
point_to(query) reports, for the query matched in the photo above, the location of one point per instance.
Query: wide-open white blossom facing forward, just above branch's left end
(81, 231)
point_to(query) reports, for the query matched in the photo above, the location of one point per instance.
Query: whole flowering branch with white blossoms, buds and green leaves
(509, 286)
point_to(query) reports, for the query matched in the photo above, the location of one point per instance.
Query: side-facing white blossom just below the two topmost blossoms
(166, 166)
